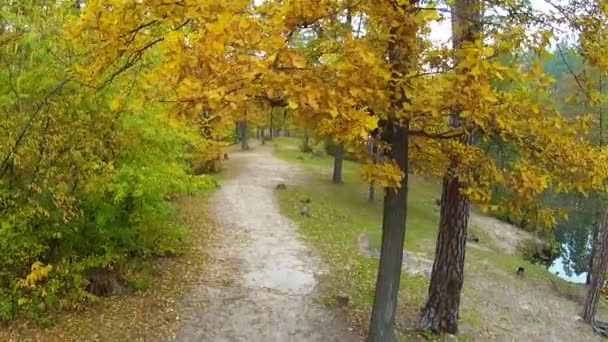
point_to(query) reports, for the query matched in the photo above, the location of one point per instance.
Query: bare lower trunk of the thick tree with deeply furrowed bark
(440, 314)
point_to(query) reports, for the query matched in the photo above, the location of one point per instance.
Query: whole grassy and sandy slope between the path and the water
(496, 304)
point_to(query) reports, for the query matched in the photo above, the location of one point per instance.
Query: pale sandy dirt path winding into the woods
(260, 286)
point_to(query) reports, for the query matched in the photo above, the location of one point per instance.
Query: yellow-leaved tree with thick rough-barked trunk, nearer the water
(474, 108)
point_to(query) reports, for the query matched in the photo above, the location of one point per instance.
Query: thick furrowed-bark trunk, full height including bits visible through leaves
(441, 311)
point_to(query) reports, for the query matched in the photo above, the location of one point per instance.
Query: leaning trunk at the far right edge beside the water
(600, 263)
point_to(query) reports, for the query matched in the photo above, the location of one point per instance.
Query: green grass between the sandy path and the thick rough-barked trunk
(339, 214)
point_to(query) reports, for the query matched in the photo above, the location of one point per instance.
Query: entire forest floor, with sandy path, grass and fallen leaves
(270, 264)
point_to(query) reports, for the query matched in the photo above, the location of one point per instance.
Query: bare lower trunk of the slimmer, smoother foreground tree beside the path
(393, 234)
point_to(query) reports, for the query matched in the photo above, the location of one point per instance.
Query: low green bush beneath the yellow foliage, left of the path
(128, 216)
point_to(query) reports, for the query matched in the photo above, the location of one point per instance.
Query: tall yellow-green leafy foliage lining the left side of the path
(76, 191)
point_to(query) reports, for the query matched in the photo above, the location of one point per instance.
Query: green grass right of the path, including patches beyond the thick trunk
(340, 213)
